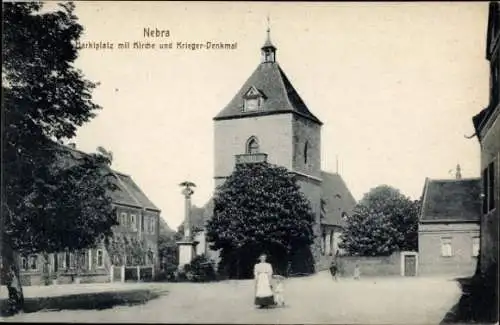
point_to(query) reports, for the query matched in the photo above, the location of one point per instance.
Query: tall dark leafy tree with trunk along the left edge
(53, 198)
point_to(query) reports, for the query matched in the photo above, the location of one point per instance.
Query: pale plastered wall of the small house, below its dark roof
(461, 263)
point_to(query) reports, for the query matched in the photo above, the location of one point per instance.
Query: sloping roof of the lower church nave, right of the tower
(337, 198)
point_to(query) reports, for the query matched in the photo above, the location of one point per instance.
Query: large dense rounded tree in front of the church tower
(260, 208)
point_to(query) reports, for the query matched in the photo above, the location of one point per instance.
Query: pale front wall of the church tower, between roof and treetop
(274, 133)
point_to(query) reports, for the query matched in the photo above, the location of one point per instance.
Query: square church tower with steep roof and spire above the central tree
(268, 121)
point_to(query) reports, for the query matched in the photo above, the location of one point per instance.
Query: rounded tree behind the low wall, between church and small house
(384, 221)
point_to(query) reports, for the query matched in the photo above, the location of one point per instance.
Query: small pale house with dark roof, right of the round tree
(448, 230)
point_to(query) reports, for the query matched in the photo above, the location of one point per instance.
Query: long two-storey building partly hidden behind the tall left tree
(138, 220)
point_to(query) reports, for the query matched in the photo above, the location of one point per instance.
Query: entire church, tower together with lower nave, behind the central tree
(268, 121)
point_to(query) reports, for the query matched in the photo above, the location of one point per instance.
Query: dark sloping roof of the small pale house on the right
(451, 200)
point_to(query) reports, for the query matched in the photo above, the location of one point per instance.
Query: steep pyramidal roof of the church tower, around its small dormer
(281, 96)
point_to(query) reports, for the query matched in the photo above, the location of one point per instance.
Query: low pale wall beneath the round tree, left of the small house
(371, 266)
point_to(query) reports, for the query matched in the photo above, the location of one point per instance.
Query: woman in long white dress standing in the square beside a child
(263, 273)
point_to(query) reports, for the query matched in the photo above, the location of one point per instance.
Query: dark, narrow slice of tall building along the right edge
(487, 126)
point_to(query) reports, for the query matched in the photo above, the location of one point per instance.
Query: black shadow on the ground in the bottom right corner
(477, 304)
